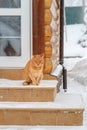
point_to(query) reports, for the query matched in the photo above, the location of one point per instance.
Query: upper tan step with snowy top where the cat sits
(11, 90)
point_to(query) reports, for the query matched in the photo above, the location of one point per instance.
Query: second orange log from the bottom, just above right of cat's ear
(48, 49)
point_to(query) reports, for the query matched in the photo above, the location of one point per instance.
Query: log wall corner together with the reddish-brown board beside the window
(46, 32)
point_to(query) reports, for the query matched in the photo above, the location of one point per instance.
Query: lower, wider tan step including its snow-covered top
(66, 110)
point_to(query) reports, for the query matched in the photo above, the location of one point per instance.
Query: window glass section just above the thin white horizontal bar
(10, 26)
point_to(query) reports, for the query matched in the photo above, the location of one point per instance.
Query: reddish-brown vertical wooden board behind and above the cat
(38, 26)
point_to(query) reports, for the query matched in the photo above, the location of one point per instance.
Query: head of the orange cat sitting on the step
(38, 60)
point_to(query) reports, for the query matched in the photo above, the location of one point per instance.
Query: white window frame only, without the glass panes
(26, 30)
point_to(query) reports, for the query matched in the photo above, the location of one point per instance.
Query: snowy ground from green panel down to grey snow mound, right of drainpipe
(74, 51)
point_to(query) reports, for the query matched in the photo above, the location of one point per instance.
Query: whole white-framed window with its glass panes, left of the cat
(15, 33)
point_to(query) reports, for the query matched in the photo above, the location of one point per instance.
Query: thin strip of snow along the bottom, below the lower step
(43, 128)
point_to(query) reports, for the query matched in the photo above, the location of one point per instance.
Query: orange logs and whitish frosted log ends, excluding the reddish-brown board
(52, 34)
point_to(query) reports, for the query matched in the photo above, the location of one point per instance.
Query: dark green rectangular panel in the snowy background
(74, 15)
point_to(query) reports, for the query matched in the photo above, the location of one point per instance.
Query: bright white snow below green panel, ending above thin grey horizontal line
(71, 46)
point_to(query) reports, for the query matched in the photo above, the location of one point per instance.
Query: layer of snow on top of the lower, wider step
(64, 101)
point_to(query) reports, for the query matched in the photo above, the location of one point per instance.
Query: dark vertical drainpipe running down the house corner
(64, 71)
